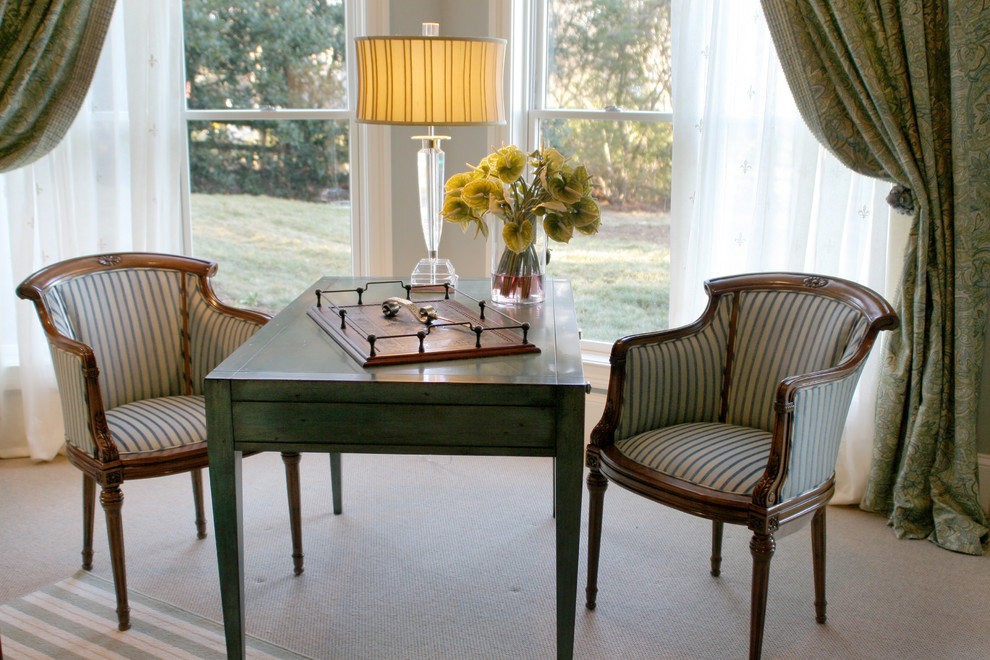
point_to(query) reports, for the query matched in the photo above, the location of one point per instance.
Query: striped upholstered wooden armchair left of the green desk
(132, 337)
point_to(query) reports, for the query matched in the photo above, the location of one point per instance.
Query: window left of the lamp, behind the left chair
(268, 144)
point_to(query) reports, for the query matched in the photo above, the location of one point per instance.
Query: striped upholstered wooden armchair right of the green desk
(737, 417)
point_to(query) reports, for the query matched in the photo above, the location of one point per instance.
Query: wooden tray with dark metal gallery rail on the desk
(373, 339)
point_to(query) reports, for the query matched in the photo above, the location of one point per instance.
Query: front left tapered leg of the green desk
(225, 485)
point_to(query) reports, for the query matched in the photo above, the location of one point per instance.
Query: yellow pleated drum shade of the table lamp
(430, 81)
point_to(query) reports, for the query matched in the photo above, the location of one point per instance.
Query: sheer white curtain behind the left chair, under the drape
(111, 185)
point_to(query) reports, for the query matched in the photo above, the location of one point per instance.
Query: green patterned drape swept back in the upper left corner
(49, 52)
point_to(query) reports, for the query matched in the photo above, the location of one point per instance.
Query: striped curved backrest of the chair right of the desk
(757, 330)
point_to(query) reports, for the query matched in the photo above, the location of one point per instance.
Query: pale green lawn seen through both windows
(270, 249)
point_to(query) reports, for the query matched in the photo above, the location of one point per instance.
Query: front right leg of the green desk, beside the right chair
(568, 470)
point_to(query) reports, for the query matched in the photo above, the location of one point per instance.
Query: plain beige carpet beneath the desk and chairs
(452, 557)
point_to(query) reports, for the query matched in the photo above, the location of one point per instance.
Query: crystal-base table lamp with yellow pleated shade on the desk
(430, 81)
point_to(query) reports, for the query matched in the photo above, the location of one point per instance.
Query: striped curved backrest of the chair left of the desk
(152, 322)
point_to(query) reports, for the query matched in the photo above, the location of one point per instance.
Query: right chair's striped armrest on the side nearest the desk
(663, 378)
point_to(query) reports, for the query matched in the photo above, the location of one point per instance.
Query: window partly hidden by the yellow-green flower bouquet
(602, 95)
